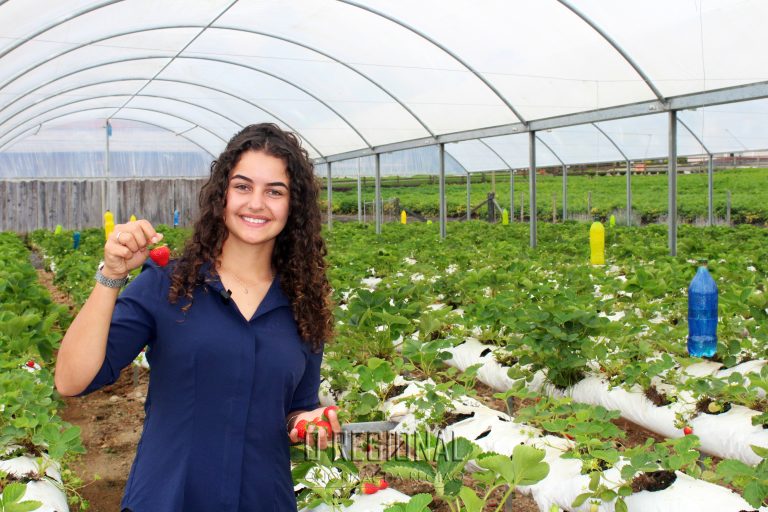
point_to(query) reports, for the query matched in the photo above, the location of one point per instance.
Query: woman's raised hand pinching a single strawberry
(128, 247)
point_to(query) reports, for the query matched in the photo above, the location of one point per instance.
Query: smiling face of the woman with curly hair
(257, 204)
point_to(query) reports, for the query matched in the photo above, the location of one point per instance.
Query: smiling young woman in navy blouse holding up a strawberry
(234, 332)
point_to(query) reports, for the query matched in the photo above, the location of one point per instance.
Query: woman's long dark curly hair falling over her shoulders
(299, 253)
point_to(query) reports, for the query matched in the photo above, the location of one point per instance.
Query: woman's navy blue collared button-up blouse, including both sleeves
(220, 388)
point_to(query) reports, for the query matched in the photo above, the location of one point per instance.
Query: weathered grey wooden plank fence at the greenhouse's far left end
(76, 204)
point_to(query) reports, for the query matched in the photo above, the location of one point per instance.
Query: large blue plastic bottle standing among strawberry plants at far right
(702, 314)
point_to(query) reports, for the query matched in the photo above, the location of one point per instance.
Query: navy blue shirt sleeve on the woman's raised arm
(132, 326)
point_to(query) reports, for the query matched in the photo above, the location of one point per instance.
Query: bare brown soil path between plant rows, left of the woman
(111, 420)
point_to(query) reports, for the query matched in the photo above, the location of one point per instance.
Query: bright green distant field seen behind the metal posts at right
(748, 187)
